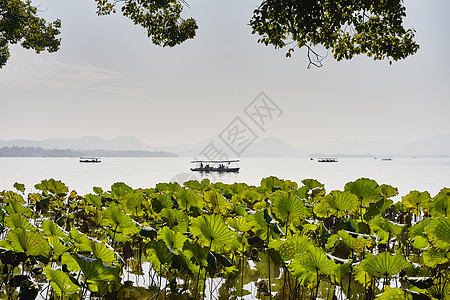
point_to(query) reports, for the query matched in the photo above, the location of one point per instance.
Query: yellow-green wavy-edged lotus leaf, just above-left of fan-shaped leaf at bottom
(290, 247)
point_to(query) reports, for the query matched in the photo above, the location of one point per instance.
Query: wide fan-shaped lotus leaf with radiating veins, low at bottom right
(384, 264)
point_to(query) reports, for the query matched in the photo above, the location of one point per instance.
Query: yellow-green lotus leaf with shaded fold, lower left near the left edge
(30, 242)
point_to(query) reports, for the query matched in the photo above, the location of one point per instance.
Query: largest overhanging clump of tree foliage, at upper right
(347, 27)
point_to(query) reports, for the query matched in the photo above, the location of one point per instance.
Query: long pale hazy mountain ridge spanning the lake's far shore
(434, 146)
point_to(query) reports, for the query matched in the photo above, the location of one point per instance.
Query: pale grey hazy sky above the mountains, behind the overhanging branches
(108, 79)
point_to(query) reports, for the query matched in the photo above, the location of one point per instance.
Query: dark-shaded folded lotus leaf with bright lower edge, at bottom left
(96, 270)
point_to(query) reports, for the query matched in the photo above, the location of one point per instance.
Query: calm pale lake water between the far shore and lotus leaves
(423, 174)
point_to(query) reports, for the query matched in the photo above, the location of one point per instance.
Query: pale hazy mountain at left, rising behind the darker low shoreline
(121, 143)
